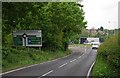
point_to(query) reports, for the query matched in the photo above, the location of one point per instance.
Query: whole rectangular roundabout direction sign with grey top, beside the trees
(32, 38)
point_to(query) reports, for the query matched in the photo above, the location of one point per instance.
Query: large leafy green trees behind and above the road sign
(59, 21)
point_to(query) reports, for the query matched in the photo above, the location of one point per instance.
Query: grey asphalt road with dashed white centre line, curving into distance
(76, 64)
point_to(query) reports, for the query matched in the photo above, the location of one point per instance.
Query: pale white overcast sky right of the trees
(101, 13)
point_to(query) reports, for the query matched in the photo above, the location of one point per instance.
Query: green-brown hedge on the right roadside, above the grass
(110, 50)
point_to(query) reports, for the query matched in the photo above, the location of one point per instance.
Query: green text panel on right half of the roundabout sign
(34, 40)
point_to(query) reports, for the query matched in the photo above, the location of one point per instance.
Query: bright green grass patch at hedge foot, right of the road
(103, 68)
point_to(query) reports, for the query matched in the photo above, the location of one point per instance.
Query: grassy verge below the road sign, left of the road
(13, 58)
